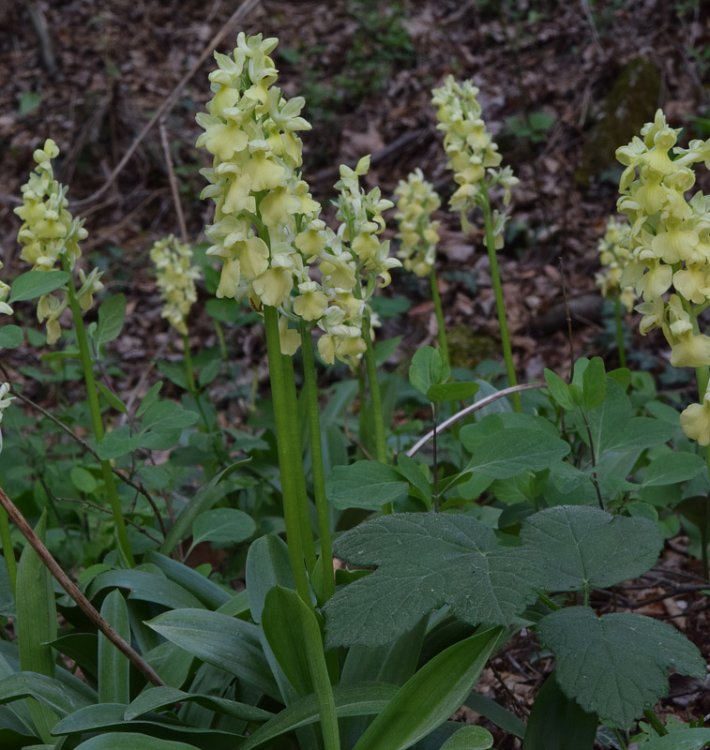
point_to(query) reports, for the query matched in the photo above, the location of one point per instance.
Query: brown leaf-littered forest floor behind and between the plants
(562, 85)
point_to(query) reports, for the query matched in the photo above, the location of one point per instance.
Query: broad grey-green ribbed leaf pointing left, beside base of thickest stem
(225, 642)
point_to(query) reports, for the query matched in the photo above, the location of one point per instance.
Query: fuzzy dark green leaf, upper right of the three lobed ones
(583, 547)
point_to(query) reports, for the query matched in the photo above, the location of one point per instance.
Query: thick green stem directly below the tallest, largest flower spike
(288, 455)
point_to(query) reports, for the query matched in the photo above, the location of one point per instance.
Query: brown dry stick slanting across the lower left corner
(75, 593)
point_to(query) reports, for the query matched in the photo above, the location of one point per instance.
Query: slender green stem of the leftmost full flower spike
(96, 420)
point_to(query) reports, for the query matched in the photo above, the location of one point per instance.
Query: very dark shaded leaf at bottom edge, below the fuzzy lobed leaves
(557, 722)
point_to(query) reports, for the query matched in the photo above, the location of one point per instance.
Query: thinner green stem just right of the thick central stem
(310, 394)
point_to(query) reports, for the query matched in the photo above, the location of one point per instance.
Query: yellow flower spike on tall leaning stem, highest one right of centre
(473, 155)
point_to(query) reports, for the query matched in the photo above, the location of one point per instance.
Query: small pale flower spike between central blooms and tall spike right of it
(418, 234)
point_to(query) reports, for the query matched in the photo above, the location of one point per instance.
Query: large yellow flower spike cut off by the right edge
(670, 247)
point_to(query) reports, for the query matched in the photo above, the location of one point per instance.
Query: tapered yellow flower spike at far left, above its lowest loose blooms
(48, 231)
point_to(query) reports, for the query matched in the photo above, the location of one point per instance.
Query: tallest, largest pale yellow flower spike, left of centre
(261, 203)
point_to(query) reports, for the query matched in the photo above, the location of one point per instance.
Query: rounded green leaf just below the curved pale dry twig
(501, 449)
